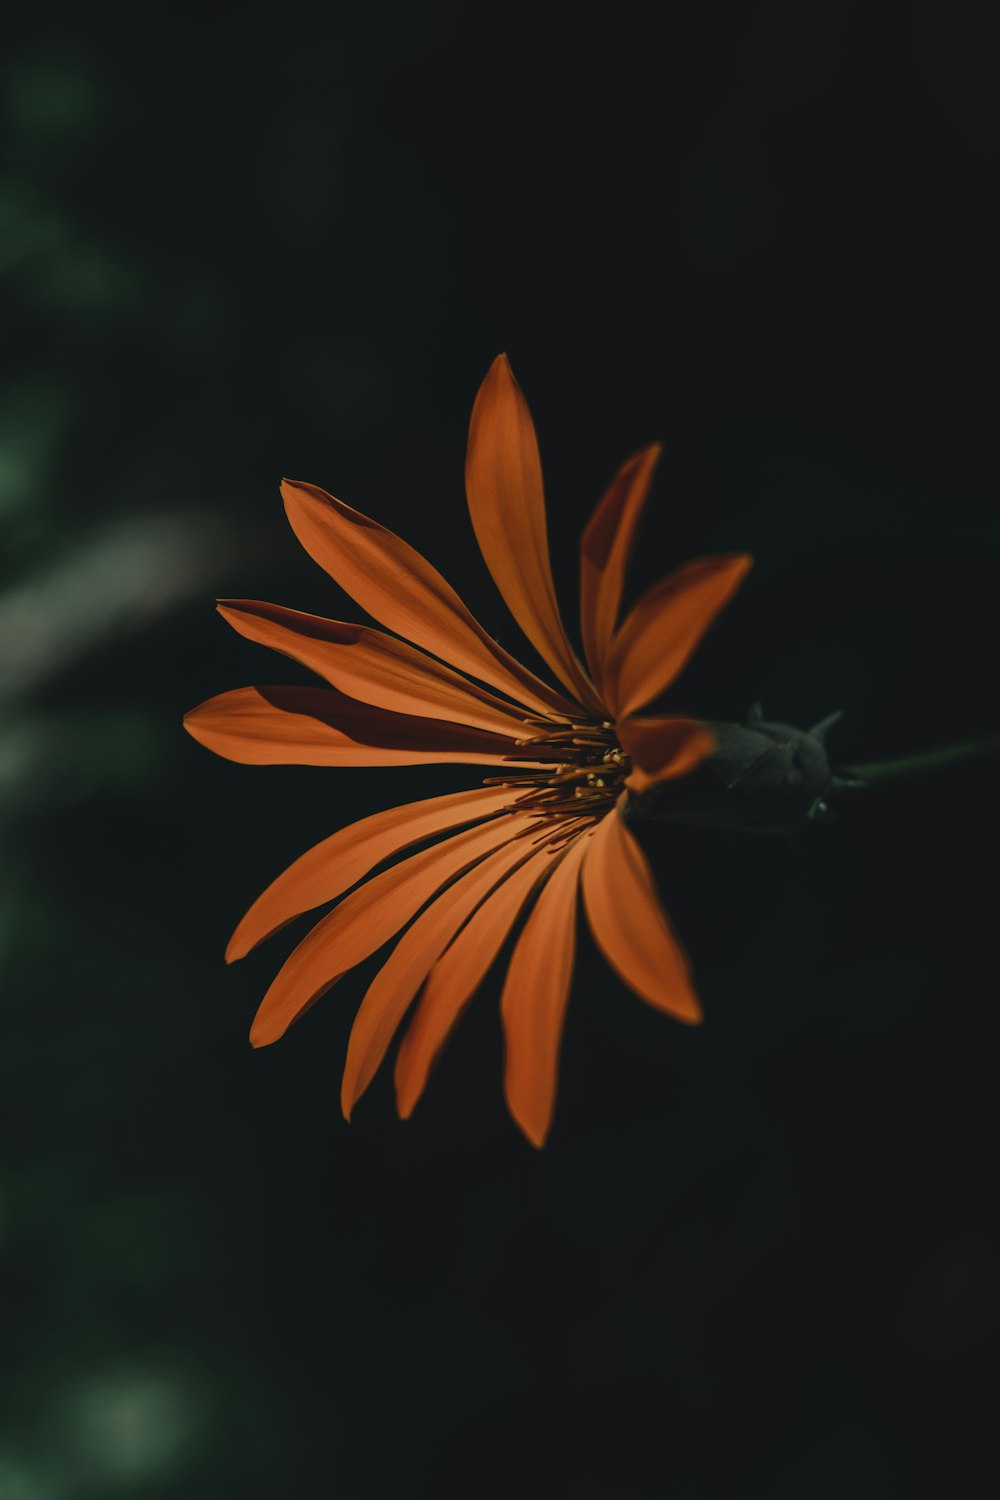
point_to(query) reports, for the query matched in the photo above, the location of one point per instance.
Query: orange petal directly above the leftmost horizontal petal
(371, 667)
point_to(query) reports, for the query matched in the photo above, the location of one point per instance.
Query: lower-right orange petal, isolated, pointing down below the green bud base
(630, 926)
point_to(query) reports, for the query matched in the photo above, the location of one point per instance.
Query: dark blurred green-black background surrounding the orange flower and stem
(245, 241)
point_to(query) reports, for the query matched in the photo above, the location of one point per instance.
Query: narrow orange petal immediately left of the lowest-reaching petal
(457, 977)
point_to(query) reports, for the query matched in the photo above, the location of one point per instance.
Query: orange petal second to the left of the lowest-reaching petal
(406, 970)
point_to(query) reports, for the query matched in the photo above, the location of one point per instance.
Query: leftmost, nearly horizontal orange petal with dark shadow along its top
(320, 727)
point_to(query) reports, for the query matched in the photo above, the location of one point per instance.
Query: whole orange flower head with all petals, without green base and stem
(545, 826)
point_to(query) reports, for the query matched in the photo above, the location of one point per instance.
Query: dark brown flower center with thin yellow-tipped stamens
(587, 775)
